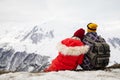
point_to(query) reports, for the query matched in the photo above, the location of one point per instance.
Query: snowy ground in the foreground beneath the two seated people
(64, 75)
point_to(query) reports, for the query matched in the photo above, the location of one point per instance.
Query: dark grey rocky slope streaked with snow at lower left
(22, 61)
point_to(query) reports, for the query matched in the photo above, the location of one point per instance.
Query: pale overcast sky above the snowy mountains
(64, 10)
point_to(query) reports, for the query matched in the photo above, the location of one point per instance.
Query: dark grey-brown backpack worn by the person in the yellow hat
(98, 55)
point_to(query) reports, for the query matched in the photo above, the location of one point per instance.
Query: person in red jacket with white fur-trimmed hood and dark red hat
(71, 53)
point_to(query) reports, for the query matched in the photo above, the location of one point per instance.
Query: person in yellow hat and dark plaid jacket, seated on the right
(91, 38)
